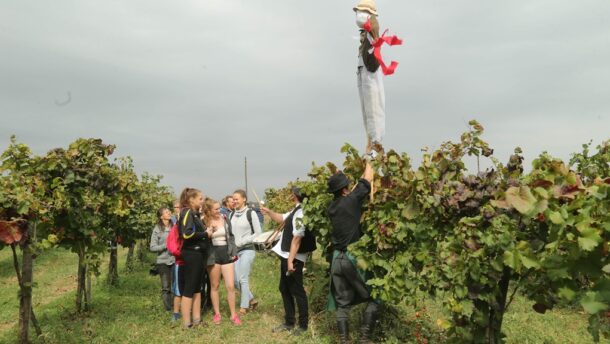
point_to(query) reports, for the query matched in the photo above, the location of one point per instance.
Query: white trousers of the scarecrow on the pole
(372, 102)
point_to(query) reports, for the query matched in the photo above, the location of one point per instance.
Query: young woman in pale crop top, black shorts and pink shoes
(220, 259)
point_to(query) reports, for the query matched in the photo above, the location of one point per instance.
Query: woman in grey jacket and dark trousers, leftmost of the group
(165, 261)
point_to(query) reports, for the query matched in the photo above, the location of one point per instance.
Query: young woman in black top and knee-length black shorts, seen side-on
(194, 251)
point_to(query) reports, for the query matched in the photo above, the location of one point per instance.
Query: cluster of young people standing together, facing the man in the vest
(217, 241)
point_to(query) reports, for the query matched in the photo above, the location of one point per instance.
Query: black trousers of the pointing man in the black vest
(291, 288)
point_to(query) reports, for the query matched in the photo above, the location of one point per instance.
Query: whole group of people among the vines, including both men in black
(218, 238)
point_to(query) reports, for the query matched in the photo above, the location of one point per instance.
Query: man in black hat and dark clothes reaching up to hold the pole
(348, 283)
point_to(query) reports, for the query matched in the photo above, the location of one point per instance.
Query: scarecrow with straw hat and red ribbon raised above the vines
(370, 78)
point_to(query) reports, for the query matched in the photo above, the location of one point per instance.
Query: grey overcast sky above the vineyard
(189, 88)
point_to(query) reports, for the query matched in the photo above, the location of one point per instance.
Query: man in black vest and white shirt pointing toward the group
(293, 246)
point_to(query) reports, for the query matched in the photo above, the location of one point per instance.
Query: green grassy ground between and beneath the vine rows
(132, 312)
